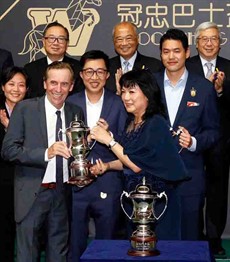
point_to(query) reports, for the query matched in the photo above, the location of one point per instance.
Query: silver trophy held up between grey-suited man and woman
(77, 134)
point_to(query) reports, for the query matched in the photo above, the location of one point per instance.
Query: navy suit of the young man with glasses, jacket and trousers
(100, 199)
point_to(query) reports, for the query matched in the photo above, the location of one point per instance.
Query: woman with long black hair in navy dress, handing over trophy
(147, 148)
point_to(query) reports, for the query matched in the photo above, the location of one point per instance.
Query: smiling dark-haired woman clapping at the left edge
(14, 87)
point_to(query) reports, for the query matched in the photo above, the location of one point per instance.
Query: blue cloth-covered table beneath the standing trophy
(116, 250)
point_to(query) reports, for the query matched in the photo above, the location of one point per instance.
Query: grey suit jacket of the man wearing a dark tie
(25, 144)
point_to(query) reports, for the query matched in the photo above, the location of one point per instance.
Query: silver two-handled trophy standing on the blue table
(143, 240)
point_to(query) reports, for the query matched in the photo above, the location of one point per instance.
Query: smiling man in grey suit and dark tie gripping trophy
(41, 166)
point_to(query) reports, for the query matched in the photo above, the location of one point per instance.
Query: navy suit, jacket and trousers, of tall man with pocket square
(202, 122)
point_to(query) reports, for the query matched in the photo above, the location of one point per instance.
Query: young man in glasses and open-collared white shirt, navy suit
(99, 200)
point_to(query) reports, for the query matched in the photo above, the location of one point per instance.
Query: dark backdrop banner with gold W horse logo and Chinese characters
(90, 23)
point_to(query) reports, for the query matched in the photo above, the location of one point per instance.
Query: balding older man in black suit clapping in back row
(126, 41)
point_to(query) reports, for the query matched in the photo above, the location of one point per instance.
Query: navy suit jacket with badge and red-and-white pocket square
(201, 119)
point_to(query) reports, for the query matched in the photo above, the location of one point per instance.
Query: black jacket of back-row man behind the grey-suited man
(36, 69)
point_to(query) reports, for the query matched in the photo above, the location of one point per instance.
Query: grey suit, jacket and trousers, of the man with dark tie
(25, 144)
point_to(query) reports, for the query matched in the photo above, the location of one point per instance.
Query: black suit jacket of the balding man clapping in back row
(141, 61)
